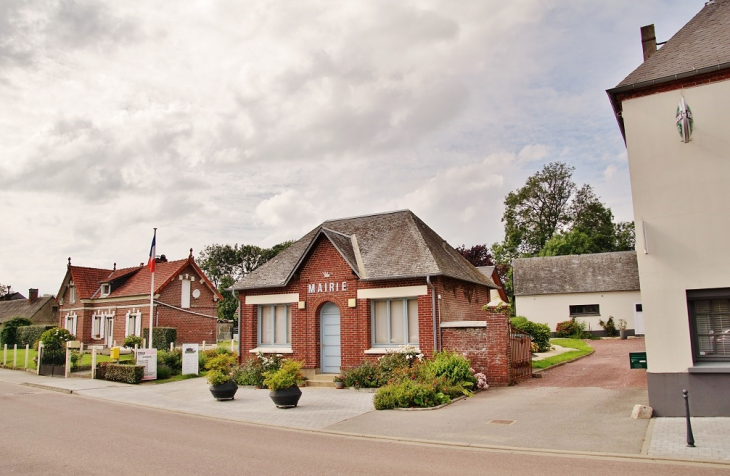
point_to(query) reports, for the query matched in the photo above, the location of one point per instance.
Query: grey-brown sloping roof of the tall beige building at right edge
(703, 42)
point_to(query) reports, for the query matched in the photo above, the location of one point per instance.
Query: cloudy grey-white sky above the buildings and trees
(252, 122)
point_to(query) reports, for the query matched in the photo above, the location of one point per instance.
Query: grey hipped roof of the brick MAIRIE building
(392, 245)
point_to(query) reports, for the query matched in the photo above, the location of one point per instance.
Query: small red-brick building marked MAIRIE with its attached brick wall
(355, 288)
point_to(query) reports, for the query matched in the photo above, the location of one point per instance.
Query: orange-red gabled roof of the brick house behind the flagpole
(126, 282)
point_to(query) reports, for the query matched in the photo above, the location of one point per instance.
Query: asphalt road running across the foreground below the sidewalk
(43, 432)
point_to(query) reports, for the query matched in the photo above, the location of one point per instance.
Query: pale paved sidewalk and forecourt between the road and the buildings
(597, 420)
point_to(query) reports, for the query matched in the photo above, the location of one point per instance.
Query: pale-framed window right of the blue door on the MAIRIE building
(395, 322)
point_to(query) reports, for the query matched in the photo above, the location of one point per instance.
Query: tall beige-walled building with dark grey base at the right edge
(674, 114)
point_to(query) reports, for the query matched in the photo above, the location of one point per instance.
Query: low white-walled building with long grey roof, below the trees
(589, 288)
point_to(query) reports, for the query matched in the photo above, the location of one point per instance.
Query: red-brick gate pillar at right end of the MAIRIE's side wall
(498, 367)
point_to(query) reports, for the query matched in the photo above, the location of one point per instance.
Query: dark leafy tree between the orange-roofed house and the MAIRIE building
(226, 264)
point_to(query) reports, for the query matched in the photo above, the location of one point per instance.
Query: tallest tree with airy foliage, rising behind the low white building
(534, 212)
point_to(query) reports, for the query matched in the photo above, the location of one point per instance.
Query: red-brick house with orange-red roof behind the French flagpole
(103, 306)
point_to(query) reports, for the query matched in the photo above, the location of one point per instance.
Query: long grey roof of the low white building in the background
(601, 272)
